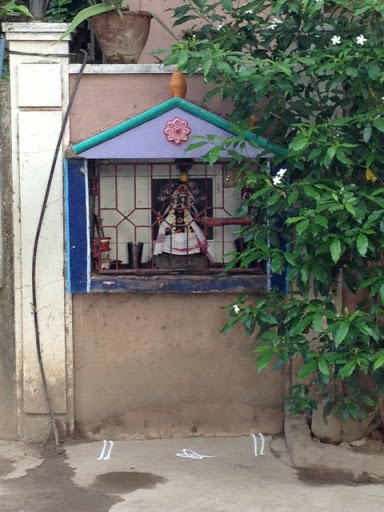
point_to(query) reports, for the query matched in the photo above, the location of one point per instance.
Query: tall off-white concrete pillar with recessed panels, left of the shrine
(39, 96)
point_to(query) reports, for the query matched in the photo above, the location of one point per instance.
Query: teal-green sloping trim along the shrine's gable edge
(157, 111)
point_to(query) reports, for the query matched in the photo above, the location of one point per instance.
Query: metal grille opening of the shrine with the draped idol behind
(163, 217)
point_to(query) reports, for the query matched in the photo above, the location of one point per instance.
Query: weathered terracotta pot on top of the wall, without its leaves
(122, 37)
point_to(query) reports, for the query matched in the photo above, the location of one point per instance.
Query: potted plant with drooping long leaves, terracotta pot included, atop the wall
(120, 32)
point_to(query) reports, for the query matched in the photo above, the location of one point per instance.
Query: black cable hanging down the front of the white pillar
(36, 244)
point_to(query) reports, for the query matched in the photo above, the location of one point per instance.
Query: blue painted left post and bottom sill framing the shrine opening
(80, 278)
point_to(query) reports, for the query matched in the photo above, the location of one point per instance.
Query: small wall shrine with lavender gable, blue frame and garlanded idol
(145, 205)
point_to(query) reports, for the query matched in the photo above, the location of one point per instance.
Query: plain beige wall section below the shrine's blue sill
(156, 366)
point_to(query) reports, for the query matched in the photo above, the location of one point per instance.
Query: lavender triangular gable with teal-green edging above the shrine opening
(143, 135)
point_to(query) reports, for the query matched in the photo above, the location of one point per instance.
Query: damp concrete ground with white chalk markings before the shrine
(149, 476)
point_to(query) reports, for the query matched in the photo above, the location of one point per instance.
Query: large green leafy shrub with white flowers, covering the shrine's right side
(310, 75)
